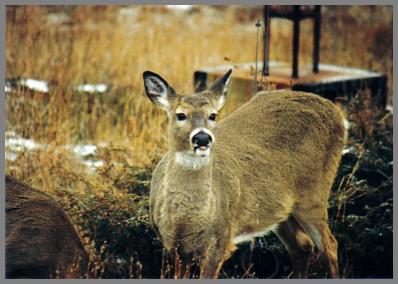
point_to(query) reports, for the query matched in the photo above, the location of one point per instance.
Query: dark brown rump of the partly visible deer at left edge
(41, 242)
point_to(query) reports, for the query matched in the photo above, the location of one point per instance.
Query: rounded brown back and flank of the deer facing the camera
(279, 147)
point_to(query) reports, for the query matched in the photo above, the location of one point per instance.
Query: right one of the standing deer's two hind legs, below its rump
(325, 242)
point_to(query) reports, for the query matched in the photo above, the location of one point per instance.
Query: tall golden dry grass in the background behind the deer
(114, 45)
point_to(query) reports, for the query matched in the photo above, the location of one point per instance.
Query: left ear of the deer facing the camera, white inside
(158, 90)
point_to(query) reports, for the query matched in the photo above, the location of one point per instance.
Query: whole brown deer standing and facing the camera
(266, 167)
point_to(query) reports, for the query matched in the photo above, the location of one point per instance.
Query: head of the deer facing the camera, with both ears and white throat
(192, 118)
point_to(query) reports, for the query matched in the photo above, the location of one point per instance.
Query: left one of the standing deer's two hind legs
(298, 244)
